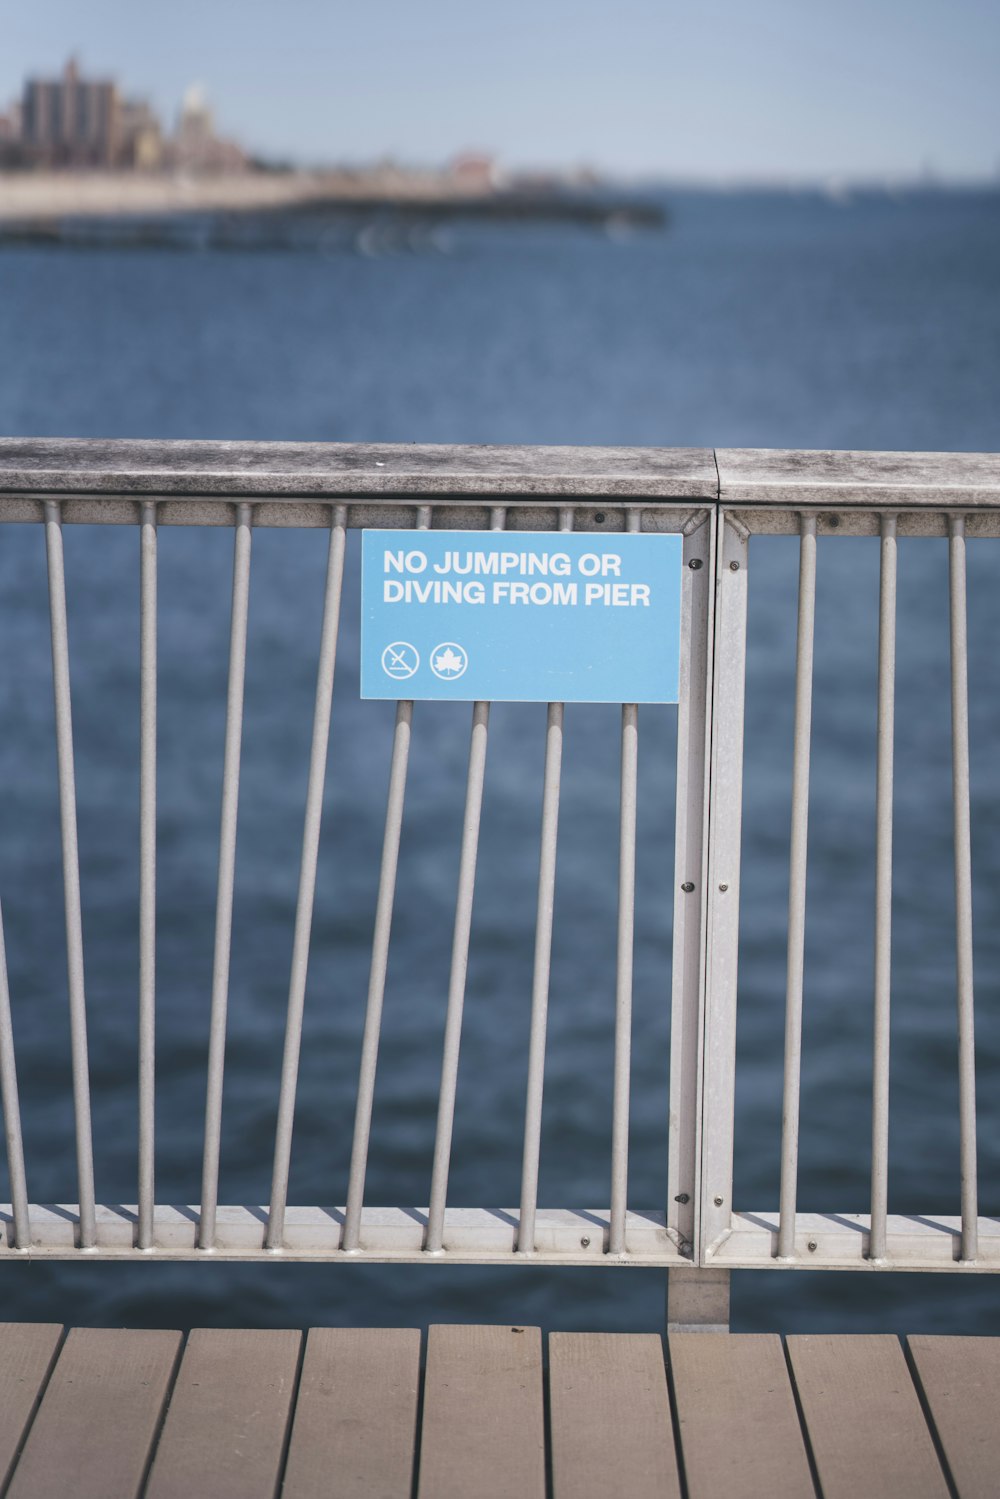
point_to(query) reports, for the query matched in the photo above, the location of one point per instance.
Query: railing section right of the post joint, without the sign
(822, 498)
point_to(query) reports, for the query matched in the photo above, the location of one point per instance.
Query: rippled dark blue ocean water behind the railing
(756, 320)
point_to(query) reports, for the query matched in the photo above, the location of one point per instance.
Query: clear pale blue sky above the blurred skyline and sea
(705, 88)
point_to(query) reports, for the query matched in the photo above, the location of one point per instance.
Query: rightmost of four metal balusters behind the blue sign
(624, 963)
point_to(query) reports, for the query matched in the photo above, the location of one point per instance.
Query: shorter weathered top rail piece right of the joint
(794, 479)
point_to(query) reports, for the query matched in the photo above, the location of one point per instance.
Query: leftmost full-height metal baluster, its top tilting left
(71, 873)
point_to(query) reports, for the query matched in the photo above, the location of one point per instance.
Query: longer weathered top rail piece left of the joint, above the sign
(313, 470)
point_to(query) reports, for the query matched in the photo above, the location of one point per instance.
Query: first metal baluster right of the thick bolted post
(798, 863)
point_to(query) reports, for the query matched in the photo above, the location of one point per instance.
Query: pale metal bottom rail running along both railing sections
(490, 1236)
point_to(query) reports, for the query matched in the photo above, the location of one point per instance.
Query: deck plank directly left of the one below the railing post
(612, 1431)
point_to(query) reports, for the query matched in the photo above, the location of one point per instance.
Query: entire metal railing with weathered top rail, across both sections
(717, 503)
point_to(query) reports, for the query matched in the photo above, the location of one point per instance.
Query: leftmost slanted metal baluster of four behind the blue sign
(380, 960)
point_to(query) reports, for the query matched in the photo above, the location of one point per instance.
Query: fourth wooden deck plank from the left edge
(356, 1416)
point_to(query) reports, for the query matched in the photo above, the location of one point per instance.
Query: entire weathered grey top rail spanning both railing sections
(780, 477)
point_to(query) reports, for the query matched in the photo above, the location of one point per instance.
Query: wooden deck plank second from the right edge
(864, 1419)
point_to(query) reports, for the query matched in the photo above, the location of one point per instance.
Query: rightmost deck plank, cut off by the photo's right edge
(960, 1378)
